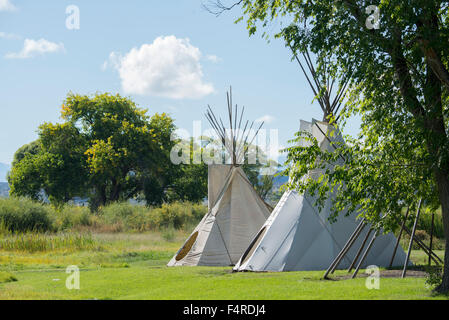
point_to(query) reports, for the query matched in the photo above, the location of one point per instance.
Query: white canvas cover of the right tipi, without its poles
(297, 236)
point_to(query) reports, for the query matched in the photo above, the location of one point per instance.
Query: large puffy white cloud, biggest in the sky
(168, 67)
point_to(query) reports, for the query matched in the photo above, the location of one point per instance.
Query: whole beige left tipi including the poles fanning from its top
(236, 211)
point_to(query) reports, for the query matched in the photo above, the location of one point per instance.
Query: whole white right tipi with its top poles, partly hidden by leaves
(297, 236)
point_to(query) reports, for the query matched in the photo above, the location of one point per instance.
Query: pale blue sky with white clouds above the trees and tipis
(42, 60)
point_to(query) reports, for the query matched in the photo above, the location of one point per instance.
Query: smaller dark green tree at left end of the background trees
(53, 164)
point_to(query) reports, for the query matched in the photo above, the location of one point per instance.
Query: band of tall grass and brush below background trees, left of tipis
(23, 215)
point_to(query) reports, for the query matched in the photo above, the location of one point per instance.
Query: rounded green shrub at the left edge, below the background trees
(23, 215)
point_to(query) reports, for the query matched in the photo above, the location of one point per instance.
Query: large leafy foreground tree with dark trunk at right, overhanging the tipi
(399, 84)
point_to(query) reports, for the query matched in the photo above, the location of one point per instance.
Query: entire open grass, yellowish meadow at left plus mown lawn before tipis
(132, 266)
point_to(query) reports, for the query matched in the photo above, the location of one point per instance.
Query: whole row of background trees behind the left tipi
(108, 150)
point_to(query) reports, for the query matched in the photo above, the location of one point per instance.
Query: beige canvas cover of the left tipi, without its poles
(236, 214)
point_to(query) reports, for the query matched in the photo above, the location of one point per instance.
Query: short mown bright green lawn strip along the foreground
(200, 283)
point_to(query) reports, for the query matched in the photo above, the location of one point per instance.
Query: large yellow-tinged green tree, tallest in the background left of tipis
(127, 150)
